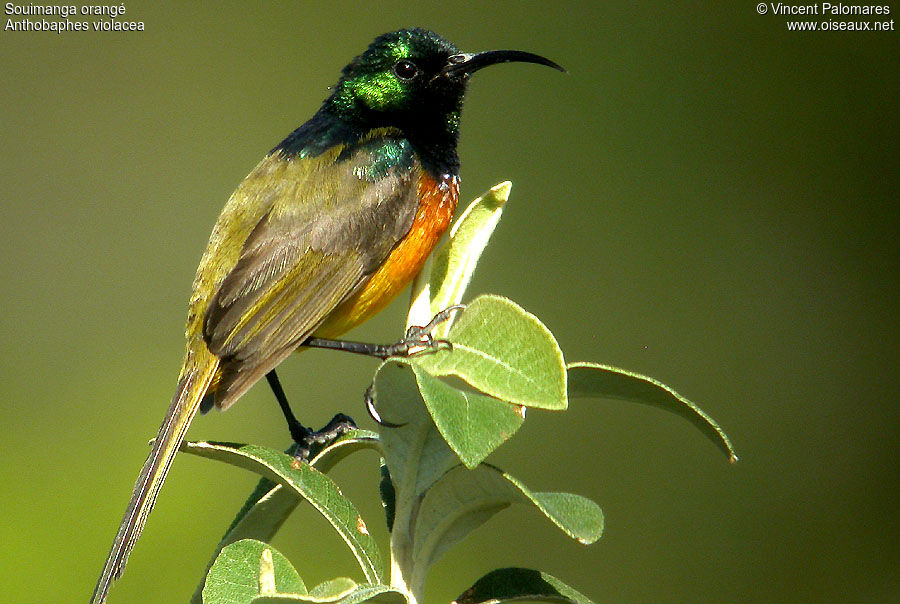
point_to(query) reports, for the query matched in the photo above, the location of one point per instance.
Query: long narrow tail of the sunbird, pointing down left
(192, 385)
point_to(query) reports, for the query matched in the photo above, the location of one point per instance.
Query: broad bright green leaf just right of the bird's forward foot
(505, 352)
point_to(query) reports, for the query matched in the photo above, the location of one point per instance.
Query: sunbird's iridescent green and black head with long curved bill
(414, 80)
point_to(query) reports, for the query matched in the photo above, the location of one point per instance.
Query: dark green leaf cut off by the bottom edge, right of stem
(519, 584)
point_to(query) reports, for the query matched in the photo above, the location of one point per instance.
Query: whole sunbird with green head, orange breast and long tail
(325, 231)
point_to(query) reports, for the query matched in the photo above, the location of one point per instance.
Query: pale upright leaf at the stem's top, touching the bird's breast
(454, 263)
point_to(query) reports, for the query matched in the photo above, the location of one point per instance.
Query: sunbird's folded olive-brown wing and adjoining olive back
(327, 230)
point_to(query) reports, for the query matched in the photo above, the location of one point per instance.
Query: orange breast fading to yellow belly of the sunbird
(437, 203)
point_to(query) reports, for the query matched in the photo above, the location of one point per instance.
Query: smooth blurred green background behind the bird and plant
(706, 198)
